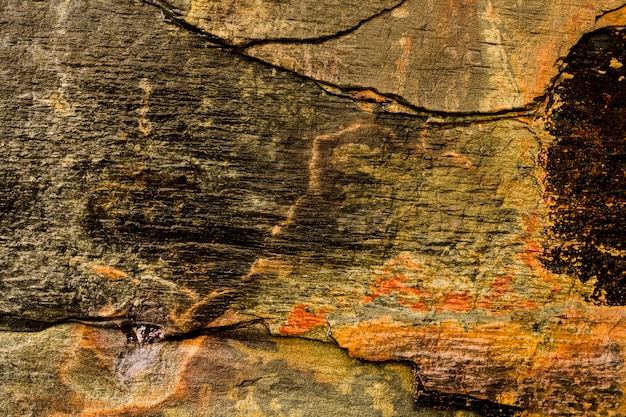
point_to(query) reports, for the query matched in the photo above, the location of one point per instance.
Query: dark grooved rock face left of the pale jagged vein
(142, 172)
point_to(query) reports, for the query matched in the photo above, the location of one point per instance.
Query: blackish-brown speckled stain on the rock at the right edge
(586, 167)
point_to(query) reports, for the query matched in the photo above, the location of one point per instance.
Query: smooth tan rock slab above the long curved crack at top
(480, 56)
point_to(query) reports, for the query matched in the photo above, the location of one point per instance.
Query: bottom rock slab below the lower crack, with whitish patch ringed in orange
(76, 370)
